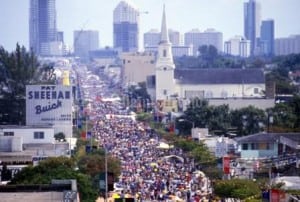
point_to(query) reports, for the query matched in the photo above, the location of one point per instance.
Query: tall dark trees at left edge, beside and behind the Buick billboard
(21, 68)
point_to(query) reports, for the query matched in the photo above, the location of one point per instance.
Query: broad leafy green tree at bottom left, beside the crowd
(57, 168)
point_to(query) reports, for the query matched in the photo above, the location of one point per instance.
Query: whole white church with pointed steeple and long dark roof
(170, 85)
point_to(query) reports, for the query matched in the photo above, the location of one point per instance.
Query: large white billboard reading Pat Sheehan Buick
(48, 104)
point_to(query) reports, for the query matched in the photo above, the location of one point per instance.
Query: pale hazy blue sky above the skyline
(225, 16)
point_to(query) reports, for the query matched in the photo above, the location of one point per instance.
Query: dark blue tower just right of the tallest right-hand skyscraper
(267, 37)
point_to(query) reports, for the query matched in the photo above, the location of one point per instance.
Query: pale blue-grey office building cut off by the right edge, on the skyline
(287, 45)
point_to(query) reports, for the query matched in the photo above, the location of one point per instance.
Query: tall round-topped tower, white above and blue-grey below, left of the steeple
(126, 27)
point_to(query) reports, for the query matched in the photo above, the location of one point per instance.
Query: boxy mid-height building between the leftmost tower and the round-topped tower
(85, 41)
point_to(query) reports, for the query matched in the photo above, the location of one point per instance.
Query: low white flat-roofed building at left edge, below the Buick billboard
(22, 145)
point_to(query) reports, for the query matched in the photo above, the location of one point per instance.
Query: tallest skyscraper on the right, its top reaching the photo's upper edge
(252, 23)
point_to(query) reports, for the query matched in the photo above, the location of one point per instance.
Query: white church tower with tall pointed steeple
(164, 70)
